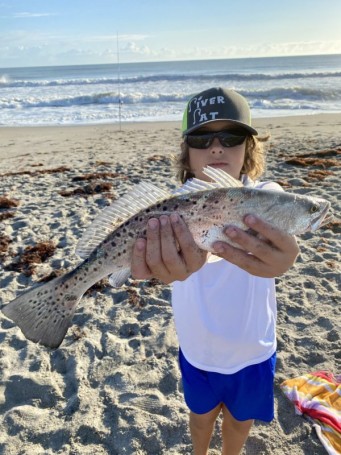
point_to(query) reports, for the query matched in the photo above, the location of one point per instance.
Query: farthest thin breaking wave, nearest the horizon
(7, 82)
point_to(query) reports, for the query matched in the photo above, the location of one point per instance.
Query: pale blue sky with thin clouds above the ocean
(70, 32)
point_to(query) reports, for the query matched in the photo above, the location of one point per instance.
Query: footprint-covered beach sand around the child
(113, 386)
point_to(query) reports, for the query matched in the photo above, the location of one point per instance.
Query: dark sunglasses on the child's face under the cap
(205, 140)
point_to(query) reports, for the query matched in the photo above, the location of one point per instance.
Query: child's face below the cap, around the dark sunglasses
(229, 159)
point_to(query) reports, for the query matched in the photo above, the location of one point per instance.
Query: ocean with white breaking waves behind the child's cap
(139, 92)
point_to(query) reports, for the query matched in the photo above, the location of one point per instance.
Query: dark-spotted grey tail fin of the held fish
(44, 313)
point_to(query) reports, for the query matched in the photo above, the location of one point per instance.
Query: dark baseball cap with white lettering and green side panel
(217, 104)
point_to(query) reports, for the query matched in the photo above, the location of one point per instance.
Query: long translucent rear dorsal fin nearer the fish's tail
(139, 198)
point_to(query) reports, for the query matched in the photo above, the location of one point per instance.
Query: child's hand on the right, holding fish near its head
(271, 255)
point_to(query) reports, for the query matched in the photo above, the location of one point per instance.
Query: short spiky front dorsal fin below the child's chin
(220, 180)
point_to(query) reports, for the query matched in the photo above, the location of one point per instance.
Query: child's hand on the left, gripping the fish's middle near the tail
(169, 253)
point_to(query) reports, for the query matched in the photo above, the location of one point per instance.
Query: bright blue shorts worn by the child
(247, 394)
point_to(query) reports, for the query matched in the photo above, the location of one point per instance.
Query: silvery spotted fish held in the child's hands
(44, 313)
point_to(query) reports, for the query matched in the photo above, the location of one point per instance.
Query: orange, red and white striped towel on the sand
(318, 396)
